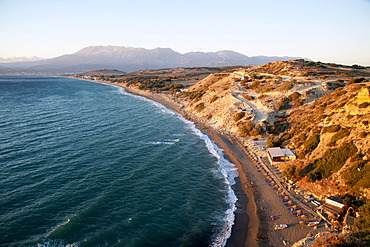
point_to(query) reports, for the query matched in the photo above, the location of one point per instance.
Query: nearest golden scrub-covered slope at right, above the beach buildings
(332, 140)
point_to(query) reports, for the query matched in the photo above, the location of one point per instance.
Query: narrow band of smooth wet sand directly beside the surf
(246, 223)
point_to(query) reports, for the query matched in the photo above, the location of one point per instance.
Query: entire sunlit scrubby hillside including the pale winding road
(319, 110)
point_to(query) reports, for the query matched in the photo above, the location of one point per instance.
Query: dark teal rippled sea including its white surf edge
(86, 164)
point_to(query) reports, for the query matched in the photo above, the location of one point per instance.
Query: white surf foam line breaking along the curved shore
(227, 169)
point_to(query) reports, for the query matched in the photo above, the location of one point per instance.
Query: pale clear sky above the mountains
(322, 30)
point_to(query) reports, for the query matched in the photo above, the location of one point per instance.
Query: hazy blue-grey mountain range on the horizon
(130, 59)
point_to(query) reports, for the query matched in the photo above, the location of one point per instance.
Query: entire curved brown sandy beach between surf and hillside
(256, 199)
